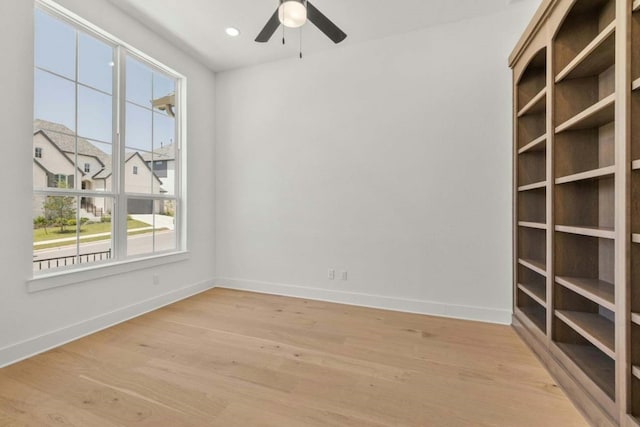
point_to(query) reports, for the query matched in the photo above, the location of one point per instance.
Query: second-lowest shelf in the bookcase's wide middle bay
(596, 329)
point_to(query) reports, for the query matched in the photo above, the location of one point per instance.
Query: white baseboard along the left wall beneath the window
(22, 350)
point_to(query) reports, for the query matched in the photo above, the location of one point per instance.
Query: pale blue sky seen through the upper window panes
(55, 94)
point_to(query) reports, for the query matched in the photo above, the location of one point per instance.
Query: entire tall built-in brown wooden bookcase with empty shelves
(577, 200)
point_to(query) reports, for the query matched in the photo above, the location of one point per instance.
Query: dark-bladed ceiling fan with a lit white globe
(294, 14)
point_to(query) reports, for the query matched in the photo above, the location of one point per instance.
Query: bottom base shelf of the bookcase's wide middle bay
(599, 367)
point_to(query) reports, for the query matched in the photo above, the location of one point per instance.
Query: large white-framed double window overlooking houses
(95, 104)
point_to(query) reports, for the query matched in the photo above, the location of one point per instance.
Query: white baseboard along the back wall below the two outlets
(481, 314)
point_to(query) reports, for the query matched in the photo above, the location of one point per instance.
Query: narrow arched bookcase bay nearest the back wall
(531, 183)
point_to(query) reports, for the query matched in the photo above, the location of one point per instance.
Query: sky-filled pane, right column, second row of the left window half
(95, 112)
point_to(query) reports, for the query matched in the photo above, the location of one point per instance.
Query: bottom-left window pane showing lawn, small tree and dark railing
(55, 236)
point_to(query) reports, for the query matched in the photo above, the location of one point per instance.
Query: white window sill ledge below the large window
(70, 277)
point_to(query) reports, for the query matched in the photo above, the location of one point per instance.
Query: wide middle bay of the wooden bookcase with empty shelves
(585, 169)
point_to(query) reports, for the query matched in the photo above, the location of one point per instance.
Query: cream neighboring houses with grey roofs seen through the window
(54, 153)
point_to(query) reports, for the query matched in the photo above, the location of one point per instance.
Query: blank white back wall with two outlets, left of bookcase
(391, 159)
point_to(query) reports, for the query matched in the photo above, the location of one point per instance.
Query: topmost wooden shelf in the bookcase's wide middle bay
(596, 57)
